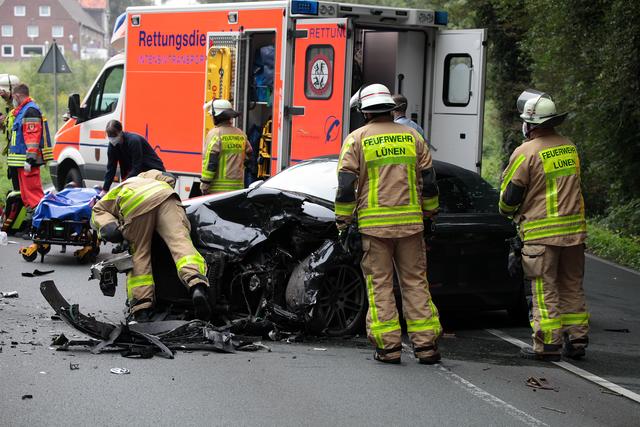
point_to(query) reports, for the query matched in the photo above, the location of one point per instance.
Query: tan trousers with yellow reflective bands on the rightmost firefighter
(558, 307)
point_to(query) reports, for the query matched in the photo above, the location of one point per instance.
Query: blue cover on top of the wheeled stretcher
(69, 204)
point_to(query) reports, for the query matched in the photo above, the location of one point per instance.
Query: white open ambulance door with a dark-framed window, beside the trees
(458, 97)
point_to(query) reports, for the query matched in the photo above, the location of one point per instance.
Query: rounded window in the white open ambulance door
(457, 80)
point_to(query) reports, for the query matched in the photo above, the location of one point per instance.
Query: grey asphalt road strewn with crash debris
(323, 382)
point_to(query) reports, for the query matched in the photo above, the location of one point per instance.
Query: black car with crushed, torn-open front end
(274, 256)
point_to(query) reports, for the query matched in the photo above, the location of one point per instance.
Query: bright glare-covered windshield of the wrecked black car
(318, 179)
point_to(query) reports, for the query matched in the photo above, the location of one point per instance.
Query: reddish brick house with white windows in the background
(28, 28)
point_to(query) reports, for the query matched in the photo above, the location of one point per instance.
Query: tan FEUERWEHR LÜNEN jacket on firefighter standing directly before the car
(388, 163)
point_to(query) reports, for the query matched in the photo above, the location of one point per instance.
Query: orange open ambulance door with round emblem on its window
(319, 79)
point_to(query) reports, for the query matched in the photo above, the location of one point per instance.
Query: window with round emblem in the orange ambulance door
(319, 72)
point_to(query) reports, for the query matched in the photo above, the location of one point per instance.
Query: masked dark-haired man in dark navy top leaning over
(130, 151)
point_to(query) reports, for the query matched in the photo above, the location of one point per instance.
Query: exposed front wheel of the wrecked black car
(341, 303)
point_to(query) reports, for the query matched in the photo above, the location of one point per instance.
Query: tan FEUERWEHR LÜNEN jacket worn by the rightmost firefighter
(541, 190)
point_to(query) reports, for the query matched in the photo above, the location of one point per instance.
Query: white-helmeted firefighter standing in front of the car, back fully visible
(386, 184)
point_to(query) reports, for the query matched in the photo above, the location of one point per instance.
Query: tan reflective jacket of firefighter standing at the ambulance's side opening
(223, 162)
